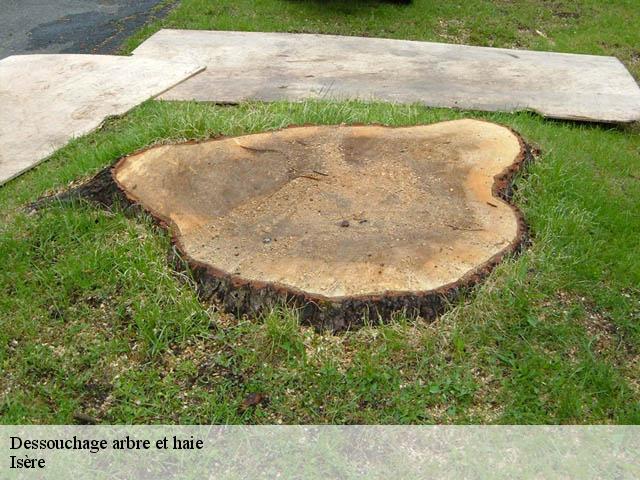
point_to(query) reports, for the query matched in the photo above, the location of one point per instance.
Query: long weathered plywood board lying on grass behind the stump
(285, 66)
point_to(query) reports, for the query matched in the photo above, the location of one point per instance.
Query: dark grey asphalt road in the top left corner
(70, 26)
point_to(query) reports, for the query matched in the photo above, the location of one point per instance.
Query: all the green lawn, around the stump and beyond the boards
(94, 320)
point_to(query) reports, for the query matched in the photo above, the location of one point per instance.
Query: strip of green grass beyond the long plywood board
(579, 26)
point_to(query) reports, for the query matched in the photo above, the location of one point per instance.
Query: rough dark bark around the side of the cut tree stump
(240, 296)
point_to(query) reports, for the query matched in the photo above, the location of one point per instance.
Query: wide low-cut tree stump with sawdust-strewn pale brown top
(342, 218)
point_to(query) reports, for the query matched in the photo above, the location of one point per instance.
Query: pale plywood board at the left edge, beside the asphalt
(46, 100)
